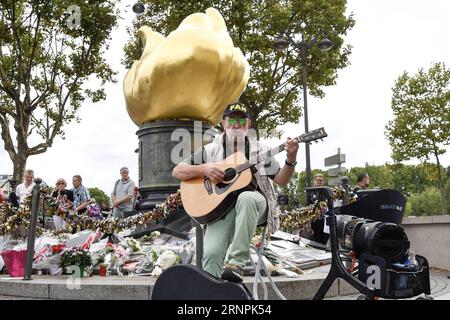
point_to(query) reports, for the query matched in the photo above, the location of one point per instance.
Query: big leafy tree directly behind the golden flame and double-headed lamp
(272, 95)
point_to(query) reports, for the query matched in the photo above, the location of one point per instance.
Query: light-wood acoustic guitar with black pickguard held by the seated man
(207, 201)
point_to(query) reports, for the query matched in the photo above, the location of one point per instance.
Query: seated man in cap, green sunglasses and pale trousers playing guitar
(227, 240)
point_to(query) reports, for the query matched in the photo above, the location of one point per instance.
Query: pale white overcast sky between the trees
(389, 37)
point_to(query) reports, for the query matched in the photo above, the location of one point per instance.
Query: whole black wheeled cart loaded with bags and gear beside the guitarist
(370, 231)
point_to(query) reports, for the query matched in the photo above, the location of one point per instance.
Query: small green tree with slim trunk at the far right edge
(421, 125)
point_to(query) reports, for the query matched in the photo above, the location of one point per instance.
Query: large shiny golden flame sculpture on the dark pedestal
(194, 73)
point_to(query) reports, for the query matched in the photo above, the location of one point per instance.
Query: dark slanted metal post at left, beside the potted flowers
(32, 227)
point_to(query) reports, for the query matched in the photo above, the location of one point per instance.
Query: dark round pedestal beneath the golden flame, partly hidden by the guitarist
(155, 162)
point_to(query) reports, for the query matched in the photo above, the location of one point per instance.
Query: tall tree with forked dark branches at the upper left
(47, 53)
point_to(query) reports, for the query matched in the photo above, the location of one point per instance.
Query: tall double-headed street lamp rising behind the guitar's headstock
(325, 44)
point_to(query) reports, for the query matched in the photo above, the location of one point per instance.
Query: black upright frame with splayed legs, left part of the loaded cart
(338, 269)
